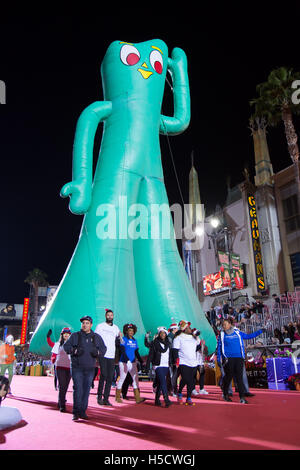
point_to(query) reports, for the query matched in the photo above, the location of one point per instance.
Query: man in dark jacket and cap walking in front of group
(84, 347)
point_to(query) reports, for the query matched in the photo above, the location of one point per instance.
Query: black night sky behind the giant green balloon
(51, 67)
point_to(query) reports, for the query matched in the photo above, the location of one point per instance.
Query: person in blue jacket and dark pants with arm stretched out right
(231, 356)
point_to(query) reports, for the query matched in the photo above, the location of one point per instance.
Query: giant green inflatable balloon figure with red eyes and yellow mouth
(140, 276)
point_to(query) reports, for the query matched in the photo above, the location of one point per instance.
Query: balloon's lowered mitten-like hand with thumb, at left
(80, 193)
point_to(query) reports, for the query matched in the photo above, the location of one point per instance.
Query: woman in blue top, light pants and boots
(129, 354)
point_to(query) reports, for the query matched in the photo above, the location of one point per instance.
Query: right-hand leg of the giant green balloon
(164, 290)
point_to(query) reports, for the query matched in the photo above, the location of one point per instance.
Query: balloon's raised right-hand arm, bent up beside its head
(177, 66)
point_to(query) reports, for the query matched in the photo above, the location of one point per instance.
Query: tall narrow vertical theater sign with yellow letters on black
(259, 272)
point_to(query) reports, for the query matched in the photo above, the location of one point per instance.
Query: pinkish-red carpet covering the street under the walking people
(271, 421)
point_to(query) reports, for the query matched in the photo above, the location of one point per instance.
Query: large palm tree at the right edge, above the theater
(274, 104)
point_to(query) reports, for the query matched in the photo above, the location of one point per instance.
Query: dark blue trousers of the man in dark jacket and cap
(82, 381)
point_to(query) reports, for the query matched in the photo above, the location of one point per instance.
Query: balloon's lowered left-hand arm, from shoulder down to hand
(80, 188)
